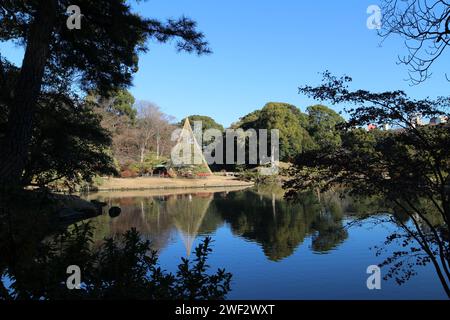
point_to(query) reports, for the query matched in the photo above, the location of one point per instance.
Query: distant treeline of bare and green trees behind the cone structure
(141, 132)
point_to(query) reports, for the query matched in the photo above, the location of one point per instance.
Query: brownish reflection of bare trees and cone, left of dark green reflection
(156, 218)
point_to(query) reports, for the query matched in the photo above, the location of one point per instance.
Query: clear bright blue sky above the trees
(264, 50)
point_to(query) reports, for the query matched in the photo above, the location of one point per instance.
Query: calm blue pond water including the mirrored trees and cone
(275, 249)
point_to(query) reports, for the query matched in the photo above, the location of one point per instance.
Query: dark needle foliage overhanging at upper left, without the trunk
(103, 54)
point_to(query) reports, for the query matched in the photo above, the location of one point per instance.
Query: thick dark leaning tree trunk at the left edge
(26, 92)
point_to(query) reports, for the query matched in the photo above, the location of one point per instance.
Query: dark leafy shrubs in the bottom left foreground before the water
(121, 268)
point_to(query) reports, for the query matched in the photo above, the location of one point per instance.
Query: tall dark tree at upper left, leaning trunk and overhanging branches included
(102, 55)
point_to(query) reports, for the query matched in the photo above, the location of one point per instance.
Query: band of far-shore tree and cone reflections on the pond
(258, 215)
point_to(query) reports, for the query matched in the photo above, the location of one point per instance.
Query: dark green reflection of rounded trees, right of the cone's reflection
(281, 226)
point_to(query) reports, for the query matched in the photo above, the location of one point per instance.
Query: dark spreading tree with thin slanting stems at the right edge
(408, 166)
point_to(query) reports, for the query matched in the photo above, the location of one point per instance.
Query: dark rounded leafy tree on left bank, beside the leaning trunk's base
(68, 144)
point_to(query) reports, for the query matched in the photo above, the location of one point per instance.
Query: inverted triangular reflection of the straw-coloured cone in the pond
(188, 214)
